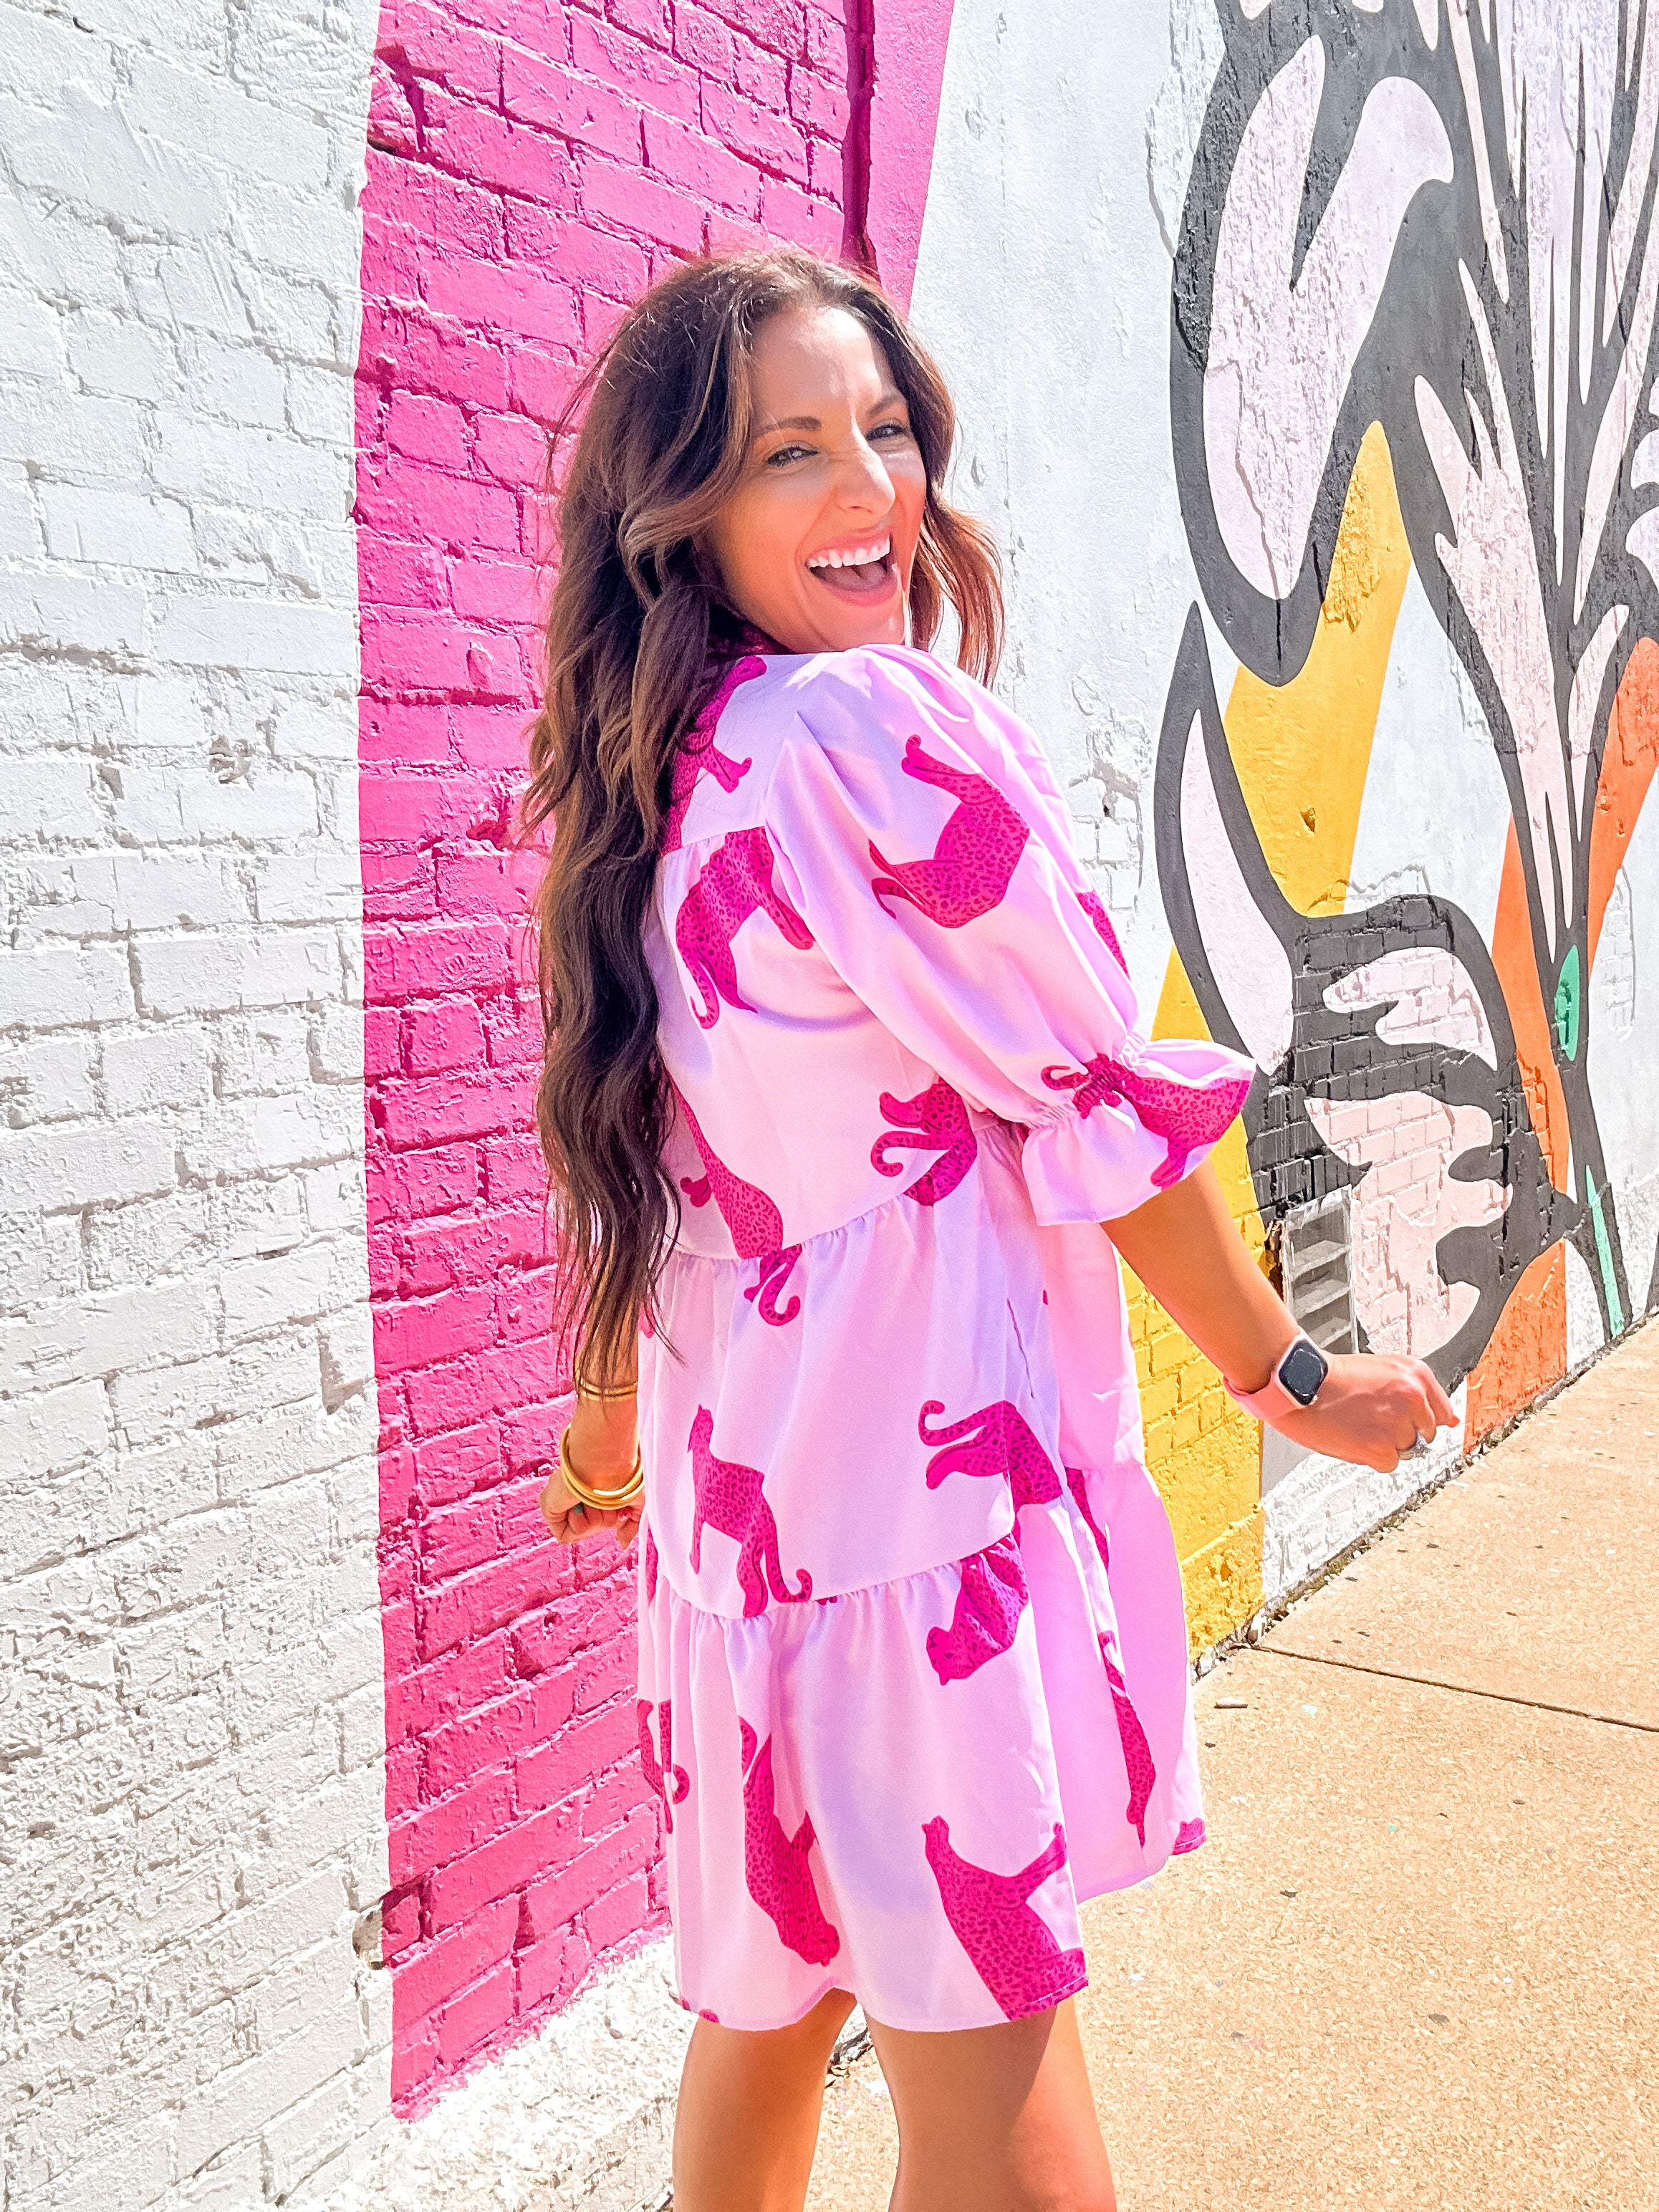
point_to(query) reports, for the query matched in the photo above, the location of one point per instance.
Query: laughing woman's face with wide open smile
(820, 539)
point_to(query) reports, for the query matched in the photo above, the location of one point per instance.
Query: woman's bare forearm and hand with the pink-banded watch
(1189, 1253)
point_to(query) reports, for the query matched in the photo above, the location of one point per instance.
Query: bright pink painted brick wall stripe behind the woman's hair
(530, 171)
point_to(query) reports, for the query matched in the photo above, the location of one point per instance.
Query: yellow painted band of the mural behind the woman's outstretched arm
(1302, 753)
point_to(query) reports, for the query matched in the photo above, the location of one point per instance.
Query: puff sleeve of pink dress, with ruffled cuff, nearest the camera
(928, 848)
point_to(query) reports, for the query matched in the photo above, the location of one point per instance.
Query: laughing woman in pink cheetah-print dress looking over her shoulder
(844, 1081)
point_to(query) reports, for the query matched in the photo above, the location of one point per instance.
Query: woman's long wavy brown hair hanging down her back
(636, 638)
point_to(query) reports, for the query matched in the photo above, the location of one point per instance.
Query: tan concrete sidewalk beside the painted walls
(1419, 1961)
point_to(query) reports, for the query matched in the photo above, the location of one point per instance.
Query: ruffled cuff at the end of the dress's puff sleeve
(1136, 1127)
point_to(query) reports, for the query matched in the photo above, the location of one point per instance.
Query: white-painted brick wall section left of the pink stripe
(194, 1797)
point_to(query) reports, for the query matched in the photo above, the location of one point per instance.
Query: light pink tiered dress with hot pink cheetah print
(908, 1594)
